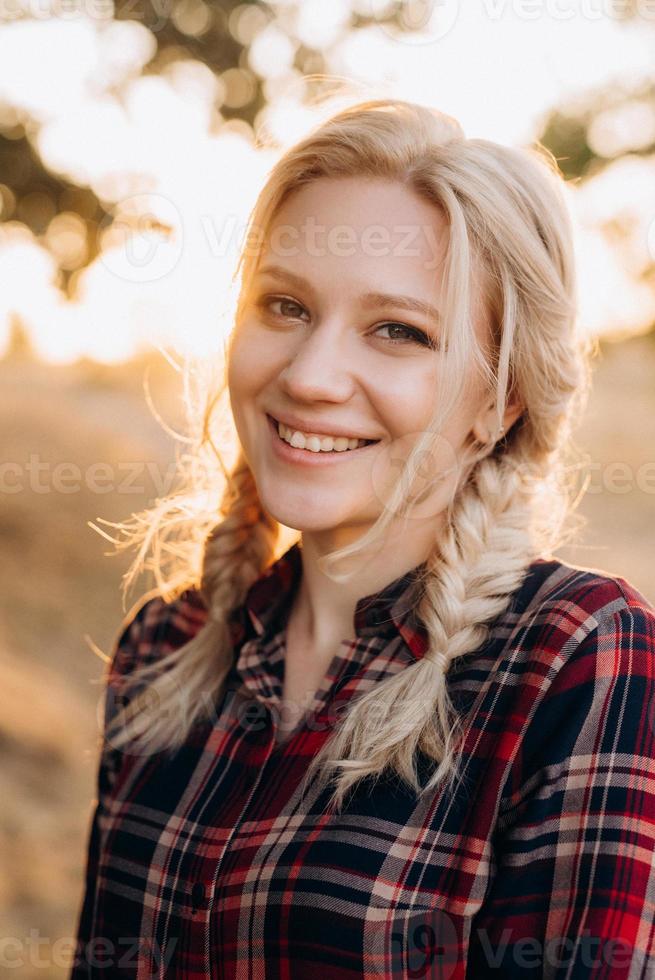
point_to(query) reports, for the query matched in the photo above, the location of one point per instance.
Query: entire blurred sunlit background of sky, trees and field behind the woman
(128, 164)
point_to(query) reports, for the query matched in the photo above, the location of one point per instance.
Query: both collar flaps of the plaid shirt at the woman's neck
(388, 612)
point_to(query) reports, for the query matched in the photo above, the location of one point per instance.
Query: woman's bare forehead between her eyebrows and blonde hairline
(366, 233)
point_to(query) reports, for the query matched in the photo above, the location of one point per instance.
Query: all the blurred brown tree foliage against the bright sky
(228, 38)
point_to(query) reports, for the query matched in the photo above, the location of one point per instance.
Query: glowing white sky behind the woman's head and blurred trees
(497, 65)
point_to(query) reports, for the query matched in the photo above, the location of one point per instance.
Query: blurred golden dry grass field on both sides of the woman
(58, 585)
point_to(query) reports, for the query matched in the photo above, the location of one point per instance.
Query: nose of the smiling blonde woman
(320, 366)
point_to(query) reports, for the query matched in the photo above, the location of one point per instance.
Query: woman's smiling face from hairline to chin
(319, 345)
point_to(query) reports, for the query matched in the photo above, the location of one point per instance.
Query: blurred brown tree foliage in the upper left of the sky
(221, 37)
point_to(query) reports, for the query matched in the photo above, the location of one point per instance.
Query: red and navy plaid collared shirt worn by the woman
(204, 864)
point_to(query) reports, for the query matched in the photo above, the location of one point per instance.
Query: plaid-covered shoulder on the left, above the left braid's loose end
(153, 627)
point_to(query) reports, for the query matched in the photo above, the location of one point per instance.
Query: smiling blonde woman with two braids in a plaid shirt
(415, 743)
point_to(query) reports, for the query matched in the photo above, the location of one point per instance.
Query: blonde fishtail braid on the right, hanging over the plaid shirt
(469, 578)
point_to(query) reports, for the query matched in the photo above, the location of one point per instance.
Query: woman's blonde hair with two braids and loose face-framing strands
(505, 213)
